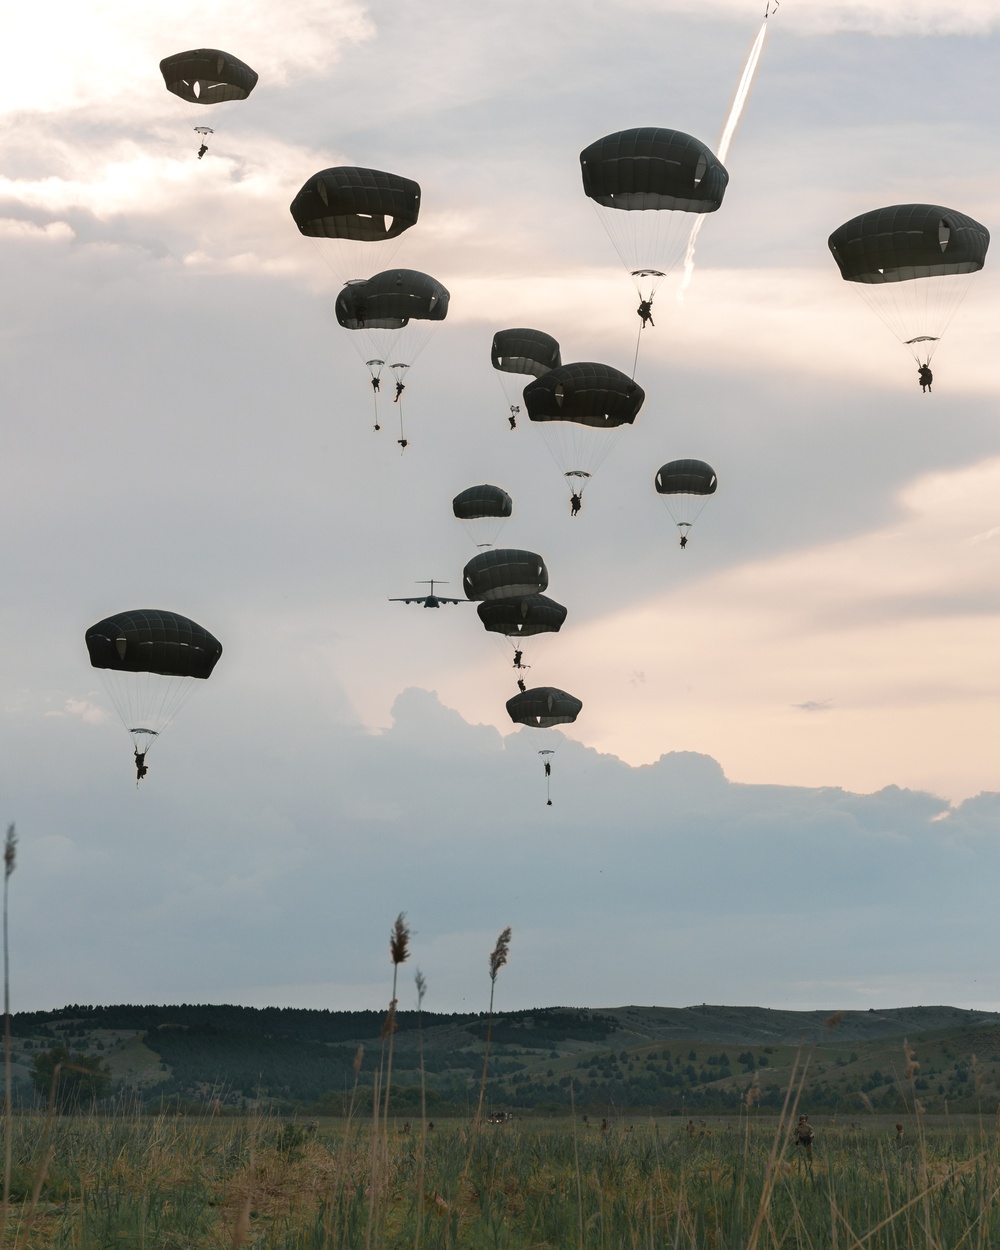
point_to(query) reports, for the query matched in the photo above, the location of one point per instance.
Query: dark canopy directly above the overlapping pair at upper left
(362, 204)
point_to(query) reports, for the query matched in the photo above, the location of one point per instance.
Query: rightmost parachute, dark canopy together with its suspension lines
(912, 263)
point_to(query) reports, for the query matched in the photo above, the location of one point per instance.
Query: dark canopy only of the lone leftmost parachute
(148, 641)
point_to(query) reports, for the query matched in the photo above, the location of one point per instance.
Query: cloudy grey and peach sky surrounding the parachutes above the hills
(783, 784)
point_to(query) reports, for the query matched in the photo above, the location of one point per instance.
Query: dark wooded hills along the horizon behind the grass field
(669, 1061)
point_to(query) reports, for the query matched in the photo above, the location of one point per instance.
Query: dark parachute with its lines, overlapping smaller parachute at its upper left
(579, 409)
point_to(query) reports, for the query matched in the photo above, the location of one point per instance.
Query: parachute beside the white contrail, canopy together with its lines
(644, 183)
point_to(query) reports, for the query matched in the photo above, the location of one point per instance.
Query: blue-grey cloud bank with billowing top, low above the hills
(293, 889)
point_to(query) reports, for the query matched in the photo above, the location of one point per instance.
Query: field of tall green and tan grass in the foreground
(169, 1182)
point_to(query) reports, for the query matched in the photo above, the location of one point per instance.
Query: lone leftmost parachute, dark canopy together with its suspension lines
(149, 662)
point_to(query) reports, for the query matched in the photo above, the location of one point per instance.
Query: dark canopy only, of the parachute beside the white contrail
(653, 168)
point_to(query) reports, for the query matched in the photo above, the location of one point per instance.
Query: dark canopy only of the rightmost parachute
(909, 241)
